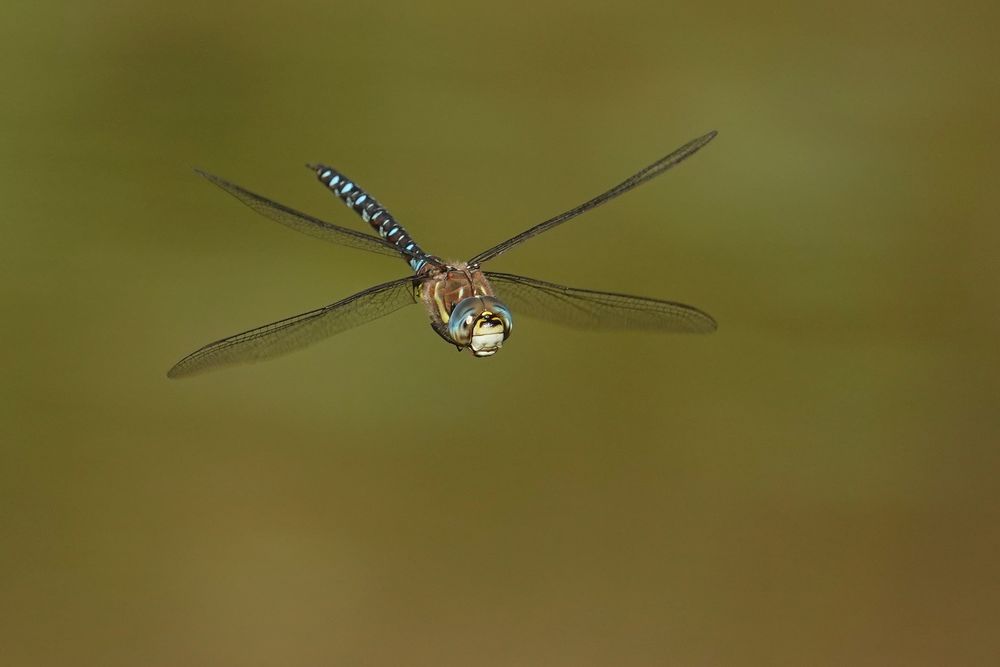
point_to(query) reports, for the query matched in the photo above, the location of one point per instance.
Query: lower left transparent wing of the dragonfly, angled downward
(296, 332)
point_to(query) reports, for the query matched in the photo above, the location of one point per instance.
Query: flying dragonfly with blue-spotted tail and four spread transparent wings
(468, 307)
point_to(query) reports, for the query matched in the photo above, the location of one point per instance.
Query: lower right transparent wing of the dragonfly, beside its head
(587, 309)
